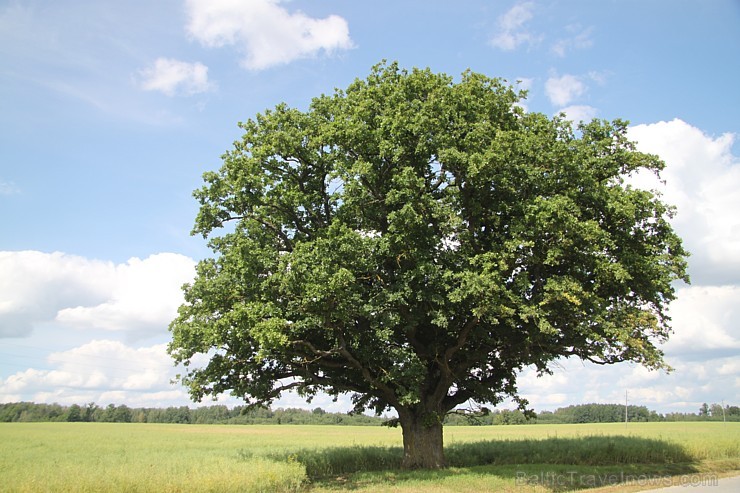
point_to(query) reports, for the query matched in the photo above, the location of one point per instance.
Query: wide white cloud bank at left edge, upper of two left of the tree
(139, 295)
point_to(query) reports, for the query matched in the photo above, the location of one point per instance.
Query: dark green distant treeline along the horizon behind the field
(220, 414)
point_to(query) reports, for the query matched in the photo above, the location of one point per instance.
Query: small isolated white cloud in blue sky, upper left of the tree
(172, 77)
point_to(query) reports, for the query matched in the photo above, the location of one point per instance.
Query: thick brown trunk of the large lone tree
(423, 446)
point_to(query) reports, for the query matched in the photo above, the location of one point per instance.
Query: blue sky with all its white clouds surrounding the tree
(110, 112)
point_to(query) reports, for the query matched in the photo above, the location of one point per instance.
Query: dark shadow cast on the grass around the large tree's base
(557, 464)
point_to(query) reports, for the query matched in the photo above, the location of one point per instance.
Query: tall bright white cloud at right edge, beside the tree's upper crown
(702, 179)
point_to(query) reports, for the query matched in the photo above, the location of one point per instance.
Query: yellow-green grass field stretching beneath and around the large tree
(81, 457)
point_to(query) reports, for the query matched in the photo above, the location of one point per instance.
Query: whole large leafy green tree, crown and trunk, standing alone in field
(415, 242)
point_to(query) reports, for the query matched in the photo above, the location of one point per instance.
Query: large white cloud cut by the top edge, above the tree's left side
(267, 33)
